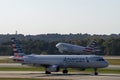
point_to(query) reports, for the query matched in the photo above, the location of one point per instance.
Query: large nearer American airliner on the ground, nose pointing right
(53, 63)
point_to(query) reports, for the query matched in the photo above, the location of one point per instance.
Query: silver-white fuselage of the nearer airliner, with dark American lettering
(67, 61)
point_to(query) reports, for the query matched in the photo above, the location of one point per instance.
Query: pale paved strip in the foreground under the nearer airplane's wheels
(70, 76)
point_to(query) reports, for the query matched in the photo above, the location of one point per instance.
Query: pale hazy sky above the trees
(60, 16)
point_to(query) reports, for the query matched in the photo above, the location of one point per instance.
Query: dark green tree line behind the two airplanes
(107, 46)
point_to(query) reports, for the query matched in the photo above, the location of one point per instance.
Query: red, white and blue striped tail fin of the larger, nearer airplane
(18, 53)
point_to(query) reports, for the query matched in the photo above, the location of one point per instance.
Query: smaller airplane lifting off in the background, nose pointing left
(66, 47)
